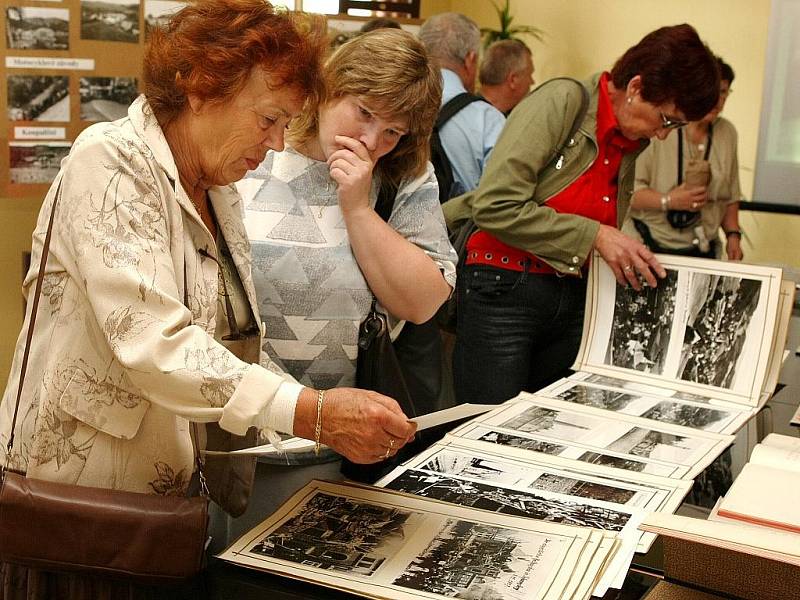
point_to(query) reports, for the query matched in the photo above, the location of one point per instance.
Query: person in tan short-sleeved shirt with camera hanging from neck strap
(671, 215)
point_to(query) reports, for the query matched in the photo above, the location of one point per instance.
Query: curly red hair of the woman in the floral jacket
(209, 48)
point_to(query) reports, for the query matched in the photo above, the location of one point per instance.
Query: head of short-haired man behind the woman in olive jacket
(506, 74)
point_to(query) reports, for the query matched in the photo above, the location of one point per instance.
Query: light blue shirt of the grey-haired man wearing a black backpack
(469, 136)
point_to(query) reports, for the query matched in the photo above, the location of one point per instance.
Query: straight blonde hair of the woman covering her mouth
(391, 71)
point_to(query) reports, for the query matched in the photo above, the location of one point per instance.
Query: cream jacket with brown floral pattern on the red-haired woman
(118, 364)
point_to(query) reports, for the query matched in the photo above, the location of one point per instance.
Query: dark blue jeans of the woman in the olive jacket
(516, 332)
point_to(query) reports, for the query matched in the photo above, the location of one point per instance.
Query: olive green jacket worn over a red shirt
(525, 169)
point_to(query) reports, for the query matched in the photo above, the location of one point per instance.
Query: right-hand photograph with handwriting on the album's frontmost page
(472, 560)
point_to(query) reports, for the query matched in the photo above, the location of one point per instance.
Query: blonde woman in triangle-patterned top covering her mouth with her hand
(321, 251)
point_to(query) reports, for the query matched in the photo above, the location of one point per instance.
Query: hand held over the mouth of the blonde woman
(351, 168)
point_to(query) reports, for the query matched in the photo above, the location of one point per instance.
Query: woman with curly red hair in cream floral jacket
(149, 319)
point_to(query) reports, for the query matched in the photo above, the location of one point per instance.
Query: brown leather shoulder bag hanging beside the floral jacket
(110, 533)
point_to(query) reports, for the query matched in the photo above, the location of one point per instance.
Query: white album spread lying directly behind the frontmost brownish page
(542, 487)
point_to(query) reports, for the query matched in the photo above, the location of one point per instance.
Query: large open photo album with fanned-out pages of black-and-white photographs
(545, 495)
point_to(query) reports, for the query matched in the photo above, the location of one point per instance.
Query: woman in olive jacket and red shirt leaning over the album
(545, 202)
